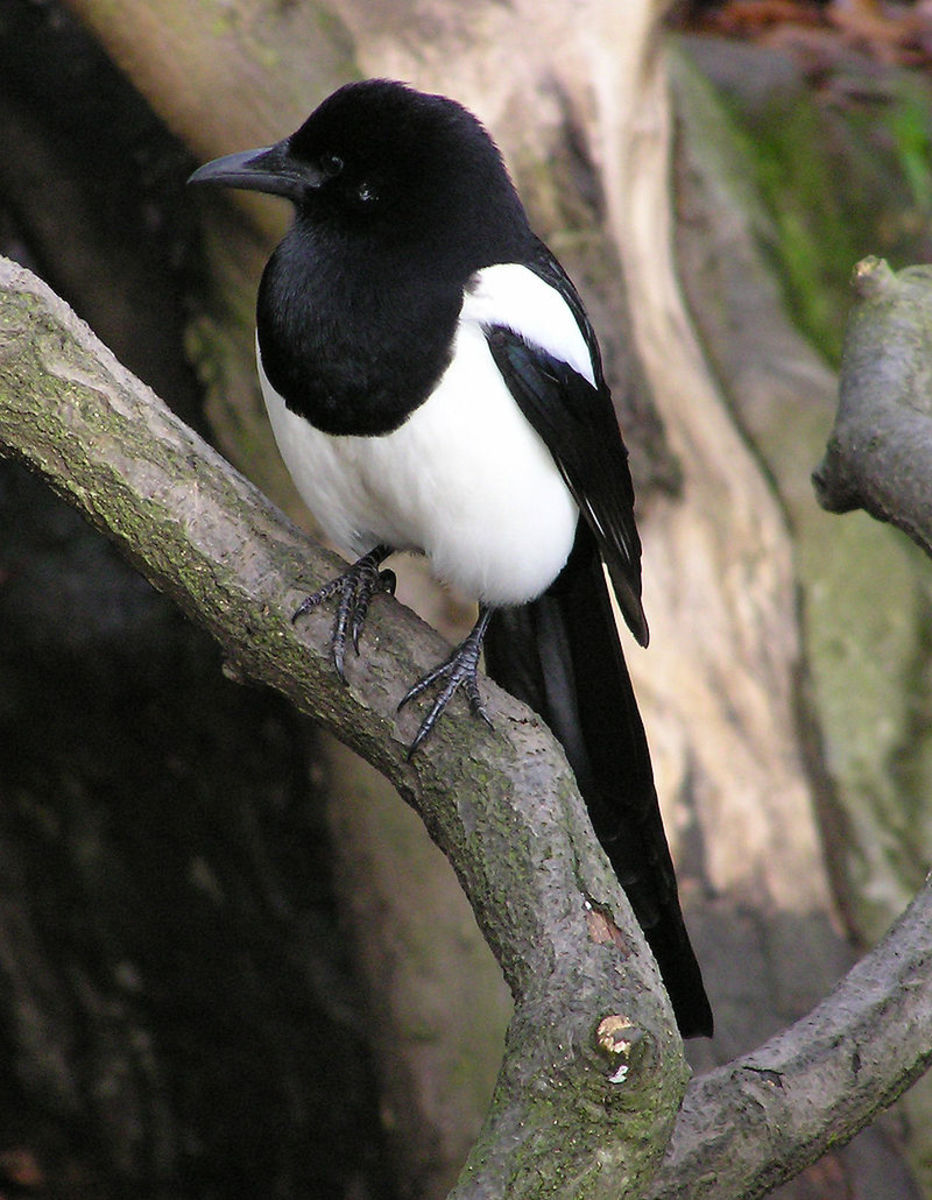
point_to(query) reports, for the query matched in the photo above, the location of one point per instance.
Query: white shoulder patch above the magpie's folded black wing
(514, 297)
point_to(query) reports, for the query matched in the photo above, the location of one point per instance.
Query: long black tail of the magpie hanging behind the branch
(561, 655)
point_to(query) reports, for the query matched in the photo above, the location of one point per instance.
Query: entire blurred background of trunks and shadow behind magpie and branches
(231, 962)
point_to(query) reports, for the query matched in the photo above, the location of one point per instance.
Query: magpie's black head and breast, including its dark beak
(400, 199)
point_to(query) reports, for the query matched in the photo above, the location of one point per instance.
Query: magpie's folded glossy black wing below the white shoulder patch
(579, 427)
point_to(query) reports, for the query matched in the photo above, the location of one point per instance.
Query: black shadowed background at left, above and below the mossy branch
(178, 1011)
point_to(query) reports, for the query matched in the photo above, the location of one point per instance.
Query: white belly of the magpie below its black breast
(466, 479)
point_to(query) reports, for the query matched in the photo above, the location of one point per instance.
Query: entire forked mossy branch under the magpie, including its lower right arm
(594, 1072)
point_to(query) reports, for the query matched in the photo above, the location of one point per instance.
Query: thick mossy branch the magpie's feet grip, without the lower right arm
(503, 806)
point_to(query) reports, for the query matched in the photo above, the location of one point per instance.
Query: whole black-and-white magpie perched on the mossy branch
(435, 386)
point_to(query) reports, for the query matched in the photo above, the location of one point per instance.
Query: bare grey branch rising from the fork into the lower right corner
(816, 1084)
